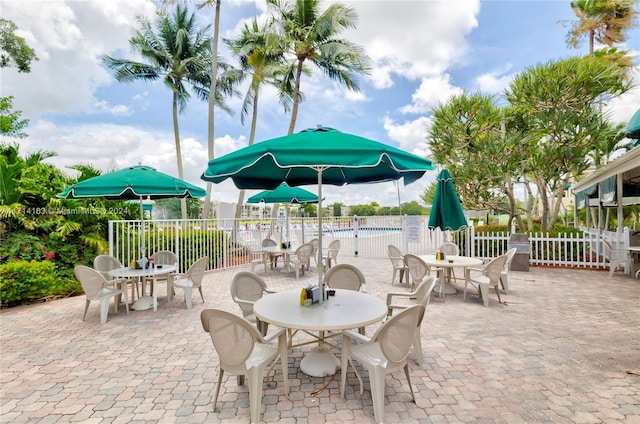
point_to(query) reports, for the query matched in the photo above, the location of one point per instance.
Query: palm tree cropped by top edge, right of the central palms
(313, 36)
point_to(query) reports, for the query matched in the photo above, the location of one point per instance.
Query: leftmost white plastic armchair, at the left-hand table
(96, 288)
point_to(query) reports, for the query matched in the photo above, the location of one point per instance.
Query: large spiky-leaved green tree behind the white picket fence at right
(554, 108)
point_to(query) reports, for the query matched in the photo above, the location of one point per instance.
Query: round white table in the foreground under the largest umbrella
(348, 309)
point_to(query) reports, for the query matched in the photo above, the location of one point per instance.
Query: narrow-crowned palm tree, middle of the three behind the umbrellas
(261, 57)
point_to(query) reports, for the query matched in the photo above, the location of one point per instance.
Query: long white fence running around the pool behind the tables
(230, 242)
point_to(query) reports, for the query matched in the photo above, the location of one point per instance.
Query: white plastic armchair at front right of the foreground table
(384, 353)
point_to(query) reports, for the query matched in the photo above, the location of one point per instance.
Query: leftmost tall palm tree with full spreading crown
(176, 51)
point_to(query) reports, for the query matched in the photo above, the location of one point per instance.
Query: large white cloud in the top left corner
(69, 37)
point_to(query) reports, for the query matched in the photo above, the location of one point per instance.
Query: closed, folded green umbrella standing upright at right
(446, 211)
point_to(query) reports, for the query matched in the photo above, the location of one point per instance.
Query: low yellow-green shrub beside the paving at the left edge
(23, 282)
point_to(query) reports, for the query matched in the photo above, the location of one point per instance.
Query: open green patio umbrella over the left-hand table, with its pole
(132, 183)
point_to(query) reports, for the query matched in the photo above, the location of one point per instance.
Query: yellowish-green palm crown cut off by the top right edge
(604, 21)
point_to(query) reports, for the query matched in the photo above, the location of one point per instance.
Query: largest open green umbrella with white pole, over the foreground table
(316, 156)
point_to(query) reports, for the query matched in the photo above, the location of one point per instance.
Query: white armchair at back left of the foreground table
(246, 288)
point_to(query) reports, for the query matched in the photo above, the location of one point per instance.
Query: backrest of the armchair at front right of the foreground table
(396, 335)
